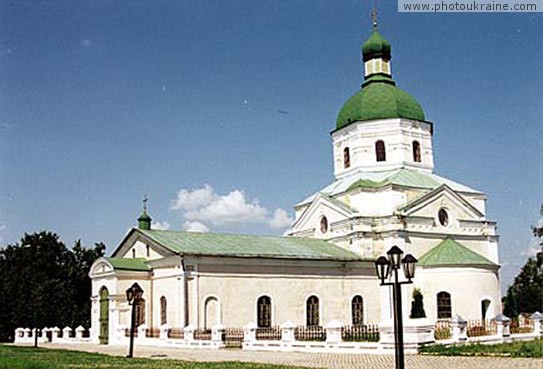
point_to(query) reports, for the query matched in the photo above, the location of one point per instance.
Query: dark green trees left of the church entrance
(44, 284)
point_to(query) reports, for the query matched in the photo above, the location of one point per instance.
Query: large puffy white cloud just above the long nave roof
(208, 208)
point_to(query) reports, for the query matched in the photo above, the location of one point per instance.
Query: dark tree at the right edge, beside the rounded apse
(525, 295)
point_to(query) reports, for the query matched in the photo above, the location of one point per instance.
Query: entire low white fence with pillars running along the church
(333, 337)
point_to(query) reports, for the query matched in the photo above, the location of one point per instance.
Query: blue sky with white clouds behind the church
(102, 102)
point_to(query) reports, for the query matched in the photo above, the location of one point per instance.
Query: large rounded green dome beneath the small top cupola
(379, 98)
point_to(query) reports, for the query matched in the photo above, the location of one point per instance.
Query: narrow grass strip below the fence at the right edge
(515, 349)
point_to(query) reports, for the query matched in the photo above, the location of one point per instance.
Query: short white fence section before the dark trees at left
(54, 335)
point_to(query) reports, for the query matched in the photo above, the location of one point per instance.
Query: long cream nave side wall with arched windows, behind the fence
(239, 287)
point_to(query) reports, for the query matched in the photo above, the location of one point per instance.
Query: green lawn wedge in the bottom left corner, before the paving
(16, 357)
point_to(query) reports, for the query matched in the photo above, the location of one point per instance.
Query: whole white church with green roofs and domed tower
(384, 193)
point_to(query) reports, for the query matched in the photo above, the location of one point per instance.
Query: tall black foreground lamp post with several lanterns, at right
(385, 268)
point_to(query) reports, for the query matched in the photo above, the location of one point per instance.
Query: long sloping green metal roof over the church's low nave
(214, 244)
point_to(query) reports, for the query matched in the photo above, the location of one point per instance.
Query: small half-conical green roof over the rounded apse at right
(451, 252)
